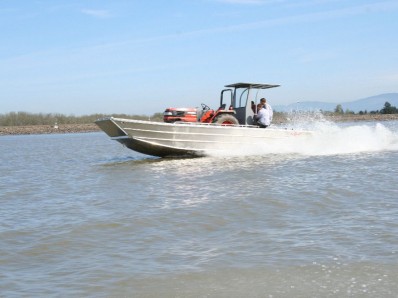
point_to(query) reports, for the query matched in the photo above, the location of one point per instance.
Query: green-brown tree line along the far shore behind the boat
(25, 118)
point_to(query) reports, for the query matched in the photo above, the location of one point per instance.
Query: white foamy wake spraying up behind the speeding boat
(330, 139)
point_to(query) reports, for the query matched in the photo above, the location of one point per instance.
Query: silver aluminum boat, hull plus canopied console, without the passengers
(197, 138)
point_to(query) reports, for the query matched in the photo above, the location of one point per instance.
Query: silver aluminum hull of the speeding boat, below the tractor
(188, 139)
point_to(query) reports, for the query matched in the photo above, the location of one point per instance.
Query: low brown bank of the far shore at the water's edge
(92, 127)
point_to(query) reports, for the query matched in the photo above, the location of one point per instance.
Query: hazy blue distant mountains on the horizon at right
(368, 104)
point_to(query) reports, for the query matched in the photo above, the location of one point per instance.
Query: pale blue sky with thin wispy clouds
(139, 57)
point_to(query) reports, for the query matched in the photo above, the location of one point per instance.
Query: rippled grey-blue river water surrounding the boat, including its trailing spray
(83, 216)
